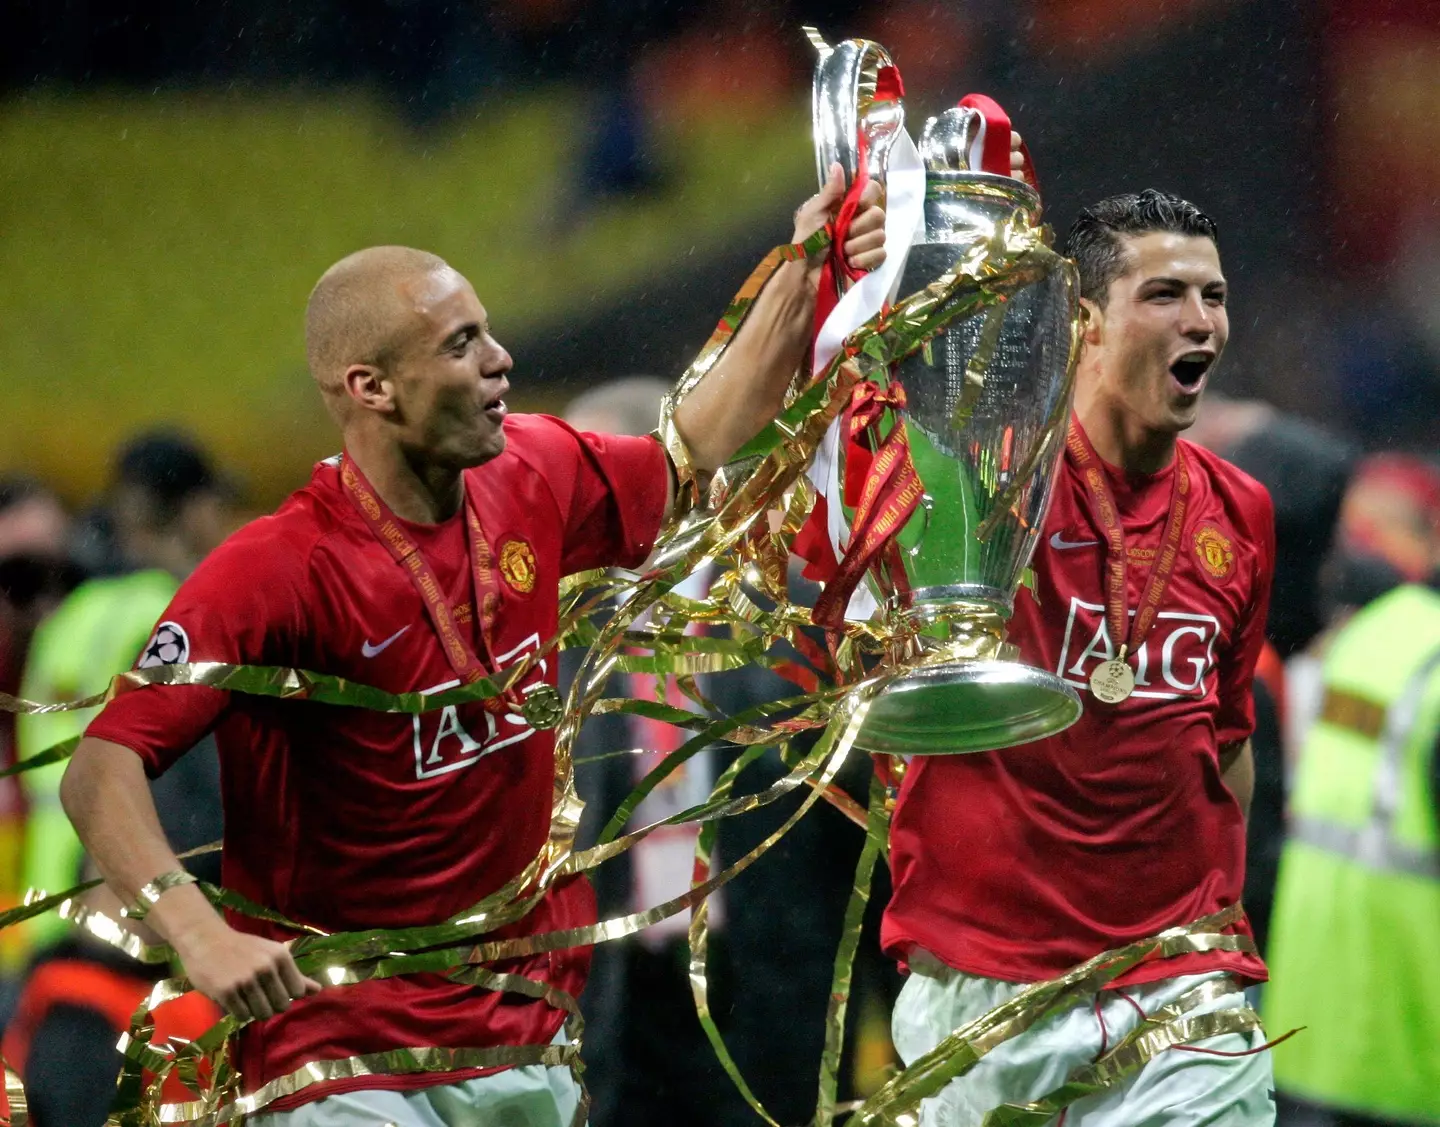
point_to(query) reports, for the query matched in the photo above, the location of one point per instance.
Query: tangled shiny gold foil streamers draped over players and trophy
(722, 522)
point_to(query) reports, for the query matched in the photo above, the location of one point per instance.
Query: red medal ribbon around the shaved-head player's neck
(391, 533)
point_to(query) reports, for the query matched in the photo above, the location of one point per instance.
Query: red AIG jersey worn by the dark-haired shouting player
(1023, 863)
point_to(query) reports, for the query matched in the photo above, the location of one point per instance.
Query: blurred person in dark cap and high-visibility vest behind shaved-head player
(168, 509)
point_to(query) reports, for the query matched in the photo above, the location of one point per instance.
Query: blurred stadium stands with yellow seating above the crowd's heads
(175, 176)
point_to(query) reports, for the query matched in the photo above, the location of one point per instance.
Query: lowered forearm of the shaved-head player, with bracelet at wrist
(109, 801)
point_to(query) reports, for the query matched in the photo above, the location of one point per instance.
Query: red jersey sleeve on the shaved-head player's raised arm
(611, 492)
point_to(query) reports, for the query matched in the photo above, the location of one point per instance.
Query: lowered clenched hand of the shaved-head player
(248, 977)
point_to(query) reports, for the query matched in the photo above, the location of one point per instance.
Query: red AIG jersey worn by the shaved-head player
(349, 820)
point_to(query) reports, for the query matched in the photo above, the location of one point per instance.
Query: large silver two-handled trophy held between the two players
(983, 408)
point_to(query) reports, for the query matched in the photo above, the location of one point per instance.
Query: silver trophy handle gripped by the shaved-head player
(843, 104)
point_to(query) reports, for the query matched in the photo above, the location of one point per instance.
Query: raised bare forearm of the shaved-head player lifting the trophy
(747, 388)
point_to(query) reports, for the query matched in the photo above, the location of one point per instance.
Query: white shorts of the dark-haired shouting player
(1173, 1090)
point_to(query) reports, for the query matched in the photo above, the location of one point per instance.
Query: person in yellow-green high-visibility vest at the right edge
(1357, 915)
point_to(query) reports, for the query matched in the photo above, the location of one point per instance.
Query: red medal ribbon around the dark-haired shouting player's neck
(1117, 614)
